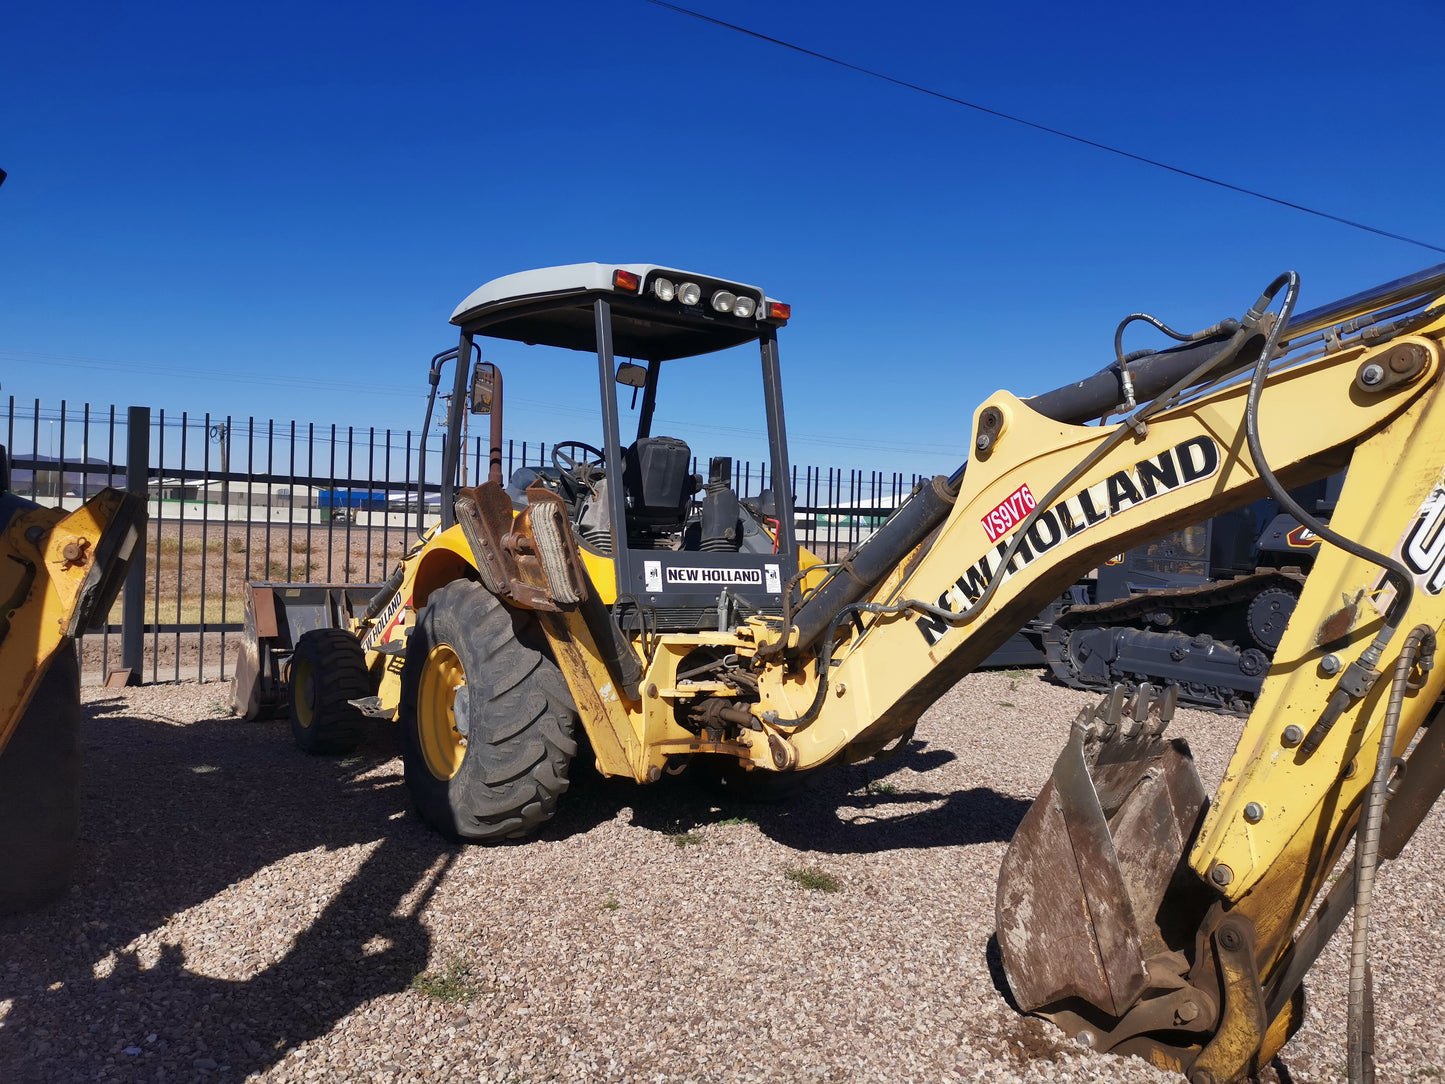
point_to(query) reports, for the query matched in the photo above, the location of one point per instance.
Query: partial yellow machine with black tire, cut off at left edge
(60, 575)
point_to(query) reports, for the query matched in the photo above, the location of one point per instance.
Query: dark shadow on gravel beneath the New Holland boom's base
(837, 810)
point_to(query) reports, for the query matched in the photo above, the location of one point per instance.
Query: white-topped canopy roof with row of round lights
(658, 314)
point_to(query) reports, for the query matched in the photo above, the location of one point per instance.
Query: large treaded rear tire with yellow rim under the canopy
(488, 723)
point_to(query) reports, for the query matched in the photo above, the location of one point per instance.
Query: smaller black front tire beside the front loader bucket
(327, 671)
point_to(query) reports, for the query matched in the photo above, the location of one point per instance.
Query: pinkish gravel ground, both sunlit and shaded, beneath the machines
(246, 913)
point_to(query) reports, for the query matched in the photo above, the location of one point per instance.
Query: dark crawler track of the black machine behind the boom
(1215, 641)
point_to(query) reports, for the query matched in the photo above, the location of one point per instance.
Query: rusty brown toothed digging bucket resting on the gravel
(1084, 929)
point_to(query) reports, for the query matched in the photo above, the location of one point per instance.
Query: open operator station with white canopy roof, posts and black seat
(687, 553)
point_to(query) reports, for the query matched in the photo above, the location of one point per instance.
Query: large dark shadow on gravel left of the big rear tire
(171, 825)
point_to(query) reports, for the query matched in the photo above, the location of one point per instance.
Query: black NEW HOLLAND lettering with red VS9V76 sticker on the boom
(1186, 463)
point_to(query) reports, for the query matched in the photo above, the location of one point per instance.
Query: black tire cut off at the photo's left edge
(40, 793)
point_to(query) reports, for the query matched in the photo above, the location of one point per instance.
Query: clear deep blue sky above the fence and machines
(272, 210)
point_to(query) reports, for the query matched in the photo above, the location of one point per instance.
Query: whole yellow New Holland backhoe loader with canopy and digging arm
(1135, 911)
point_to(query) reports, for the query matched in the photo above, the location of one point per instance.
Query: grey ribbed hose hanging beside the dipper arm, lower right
(1360, 1030)
